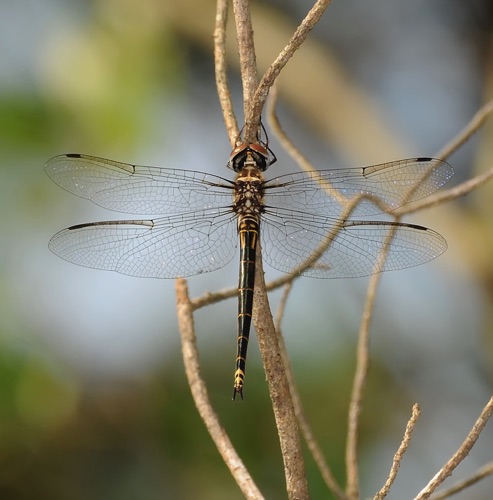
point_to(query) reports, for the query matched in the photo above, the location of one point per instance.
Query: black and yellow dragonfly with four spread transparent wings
(195, 220)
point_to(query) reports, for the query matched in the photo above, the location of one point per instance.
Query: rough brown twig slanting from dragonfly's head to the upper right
(275, 68)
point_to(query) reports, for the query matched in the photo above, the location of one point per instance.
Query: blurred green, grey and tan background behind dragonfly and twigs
(93, 399)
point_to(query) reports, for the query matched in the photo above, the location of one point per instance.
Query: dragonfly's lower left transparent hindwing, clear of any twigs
(169, 247)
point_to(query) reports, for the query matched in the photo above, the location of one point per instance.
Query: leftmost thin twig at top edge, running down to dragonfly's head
(220, 67)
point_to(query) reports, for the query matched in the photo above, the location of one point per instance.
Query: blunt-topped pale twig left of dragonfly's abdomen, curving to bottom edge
(201, 398)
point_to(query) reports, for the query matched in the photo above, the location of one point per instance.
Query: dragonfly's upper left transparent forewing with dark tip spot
(123, 187)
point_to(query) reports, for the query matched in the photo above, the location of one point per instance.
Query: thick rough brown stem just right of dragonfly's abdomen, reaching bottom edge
(287, 427)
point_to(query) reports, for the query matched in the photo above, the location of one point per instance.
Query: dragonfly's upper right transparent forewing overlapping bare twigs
(394, 183)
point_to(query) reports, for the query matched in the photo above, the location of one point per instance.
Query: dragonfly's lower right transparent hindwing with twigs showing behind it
(290, 237)
